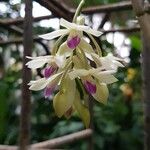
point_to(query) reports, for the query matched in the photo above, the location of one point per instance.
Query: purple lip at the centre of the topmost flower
(73, 42)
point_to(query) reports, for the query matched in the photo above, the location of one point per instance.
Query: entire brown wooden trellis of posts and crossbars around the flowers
(142, 12)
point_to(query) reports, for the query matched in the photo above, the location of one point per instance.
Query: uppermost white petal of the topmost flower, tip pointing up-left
(70, 25)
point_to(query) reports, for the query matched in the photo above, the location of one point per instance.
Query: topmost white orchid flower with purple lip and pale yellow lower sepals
(75, 36)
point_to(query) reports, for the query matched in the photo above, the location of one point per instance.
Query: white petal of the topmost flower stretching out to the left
(54, 34)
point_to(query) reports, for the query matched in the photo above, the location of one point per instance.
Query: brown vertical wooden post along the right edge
(144, 21)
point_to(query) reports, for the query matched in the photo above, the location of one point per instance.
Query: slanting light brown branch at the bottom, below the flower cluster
(64, 139)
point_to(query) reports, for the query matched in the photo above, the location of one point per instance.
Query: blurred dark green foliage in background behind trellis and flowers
(117, 126)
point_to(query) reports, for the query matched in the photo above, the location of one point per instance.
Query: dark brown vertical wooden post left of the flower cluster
(26, 77)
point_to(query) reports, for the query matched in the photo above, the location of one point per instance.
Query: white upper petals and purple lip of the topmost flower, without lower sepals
(74, 32)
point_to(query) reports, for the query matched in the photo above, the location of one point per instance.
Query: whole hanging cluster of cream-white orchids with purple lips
(76, 69)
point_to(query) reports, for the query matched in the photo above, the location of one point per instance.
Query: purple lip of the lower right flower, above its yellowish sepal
(90, 87)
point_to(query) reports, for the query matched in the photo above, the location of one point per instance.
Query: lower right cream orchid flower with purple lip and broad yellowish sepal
(96, 86)
